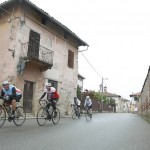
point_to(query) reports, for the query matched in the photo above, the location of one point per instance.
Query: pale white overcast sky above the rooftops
(118, 34)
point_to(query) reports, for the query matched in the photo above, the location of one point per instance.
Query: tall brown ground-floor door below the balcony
(28, 96)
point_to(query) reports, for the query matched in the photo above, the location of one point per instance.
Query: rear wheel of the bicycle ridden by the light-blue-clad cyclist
(20, 116)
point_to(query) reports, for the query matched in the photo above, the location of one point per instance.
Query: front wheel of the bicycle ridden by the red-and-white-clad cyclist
(41, 116)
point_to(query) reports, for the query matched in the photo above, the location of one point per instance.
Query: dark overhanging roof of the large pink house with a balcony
(42, 12)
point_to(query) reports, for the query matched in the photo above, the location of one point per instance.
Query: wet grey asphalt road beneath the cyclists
(104, 132)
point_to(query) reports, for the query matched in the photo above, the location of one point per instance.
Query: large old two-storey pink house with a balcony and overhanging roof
(36, 48)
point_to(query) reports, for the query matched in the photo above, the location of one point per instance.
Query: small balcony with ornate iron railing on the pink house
(37, 54)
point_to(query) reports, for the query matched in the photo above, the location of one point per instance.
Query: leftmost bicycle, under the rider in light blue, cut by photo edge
(18, 119)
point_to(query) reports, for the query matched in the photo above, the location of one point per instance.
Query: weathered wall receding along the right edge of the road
(144, 100)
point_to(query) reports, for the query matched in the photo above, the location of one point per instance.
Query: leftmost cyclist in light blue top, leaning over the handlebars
(11, 95)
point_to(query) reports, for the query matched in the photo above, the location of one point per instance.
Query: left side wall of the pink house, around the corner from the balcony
(7, 67)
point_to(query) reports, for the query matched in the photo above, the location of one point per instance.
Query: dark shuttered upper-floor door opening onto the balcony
(34, 43)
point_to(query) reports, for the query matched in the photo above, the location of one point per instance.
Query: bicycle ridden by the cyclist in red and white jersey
(45, 113)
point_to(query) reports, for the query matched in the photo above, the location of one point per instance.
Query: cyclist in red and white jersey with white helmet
(52, 95)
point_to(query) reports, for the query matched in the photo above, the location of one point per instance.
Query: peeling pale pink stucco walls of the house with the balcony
(51, 38)
